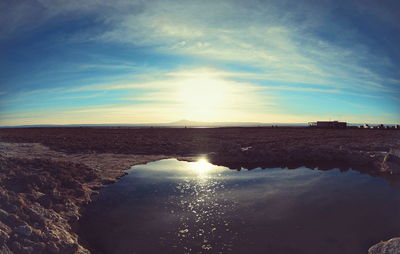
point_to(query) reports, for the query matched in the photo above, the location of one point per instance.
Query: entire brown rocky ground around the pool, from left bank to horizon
(48, 174)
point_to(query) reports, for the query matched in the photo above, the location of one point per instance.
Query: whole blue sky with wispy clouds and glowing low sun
(158, 61)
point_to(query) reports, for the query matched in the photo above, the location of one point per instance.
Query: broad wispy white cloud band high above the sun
(278, 45)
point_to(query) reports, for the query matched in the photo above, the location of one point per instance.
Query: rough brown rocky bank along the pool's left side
(42, 191)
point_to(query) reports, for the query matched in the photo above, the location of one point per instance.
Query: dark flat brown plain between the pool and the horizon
(234, 147)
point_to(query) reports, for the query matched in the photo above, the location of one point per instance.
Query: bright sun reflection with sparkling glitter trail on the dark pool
(204, 224)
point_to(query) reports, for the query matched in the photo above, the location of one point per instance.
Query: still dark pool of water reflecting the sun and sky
(172, 206)
